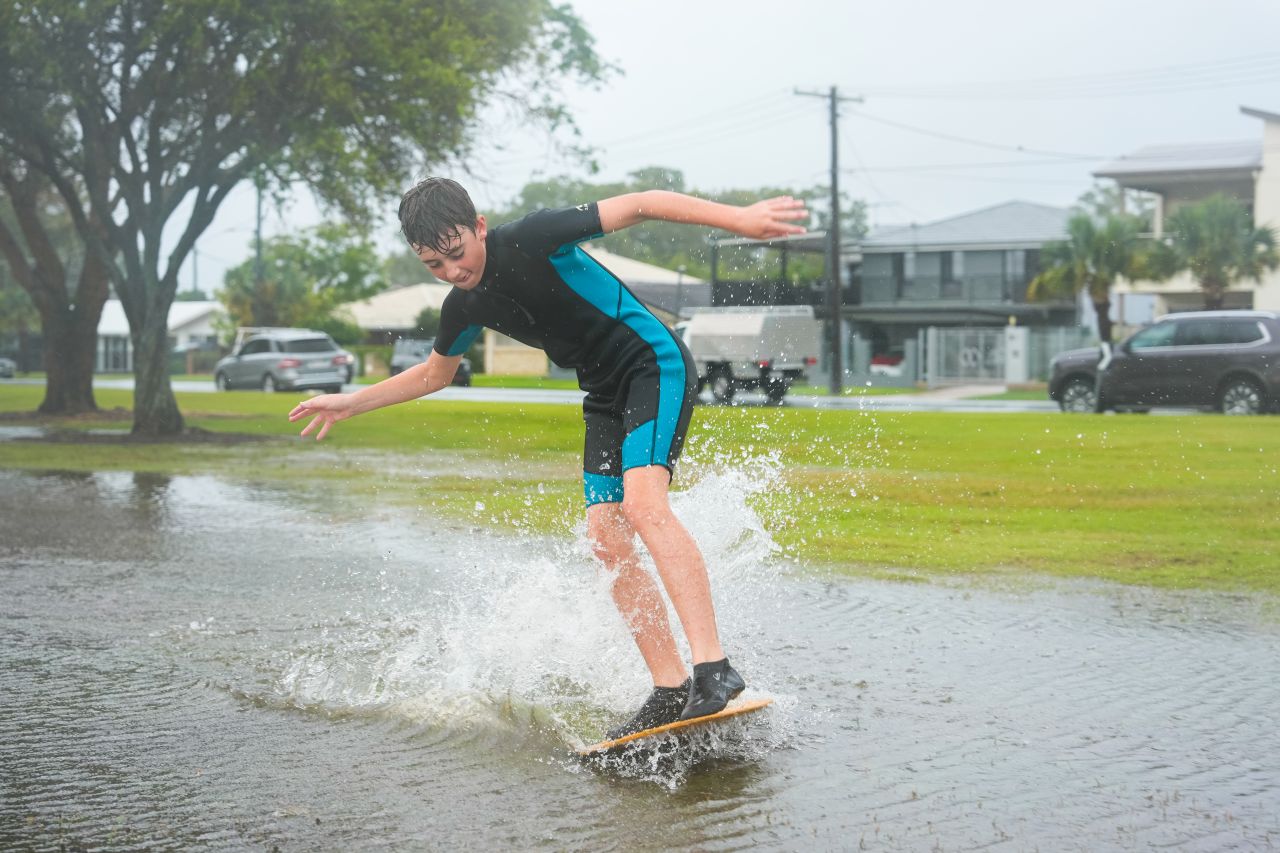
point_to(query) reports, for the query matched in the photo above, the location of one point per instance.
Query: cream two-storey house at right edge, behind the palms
(1181, 175)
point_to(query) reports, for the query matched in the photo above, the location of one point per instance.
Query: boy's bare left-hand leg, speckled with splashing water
(636, 594)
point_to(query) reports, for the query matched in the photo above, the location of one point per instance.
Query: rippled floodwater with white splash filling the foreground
(189, 663)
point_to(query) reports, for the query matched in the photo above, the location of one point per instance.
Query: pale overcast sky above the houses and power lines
(966, 106)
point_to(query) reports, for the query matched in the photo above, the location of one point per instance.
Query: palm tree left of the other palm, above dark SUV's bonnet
(1091, 259)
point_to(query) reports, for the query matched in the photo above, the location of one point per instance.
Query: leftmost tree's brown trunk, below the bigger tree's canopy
(58, 281)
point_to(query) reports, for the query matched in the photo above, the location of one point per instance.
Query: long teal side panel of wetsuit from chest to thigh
(591, 281)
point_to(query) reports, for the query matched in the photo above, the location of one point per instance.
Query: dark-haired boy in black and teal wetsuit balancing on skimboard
(531, 281)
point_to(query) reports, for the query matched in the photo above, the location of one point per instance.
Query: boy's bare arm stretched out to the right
(765, 220)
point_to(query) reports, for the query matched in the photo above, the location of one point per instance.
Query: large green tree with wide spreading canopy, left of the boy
(147, 115)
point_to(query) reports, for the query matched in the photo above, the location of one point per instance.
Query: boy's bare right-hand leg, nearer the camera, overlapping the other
(680, 564)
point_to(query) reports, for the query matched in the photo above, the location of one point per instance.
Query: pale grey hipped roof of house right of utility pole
(1005, 226)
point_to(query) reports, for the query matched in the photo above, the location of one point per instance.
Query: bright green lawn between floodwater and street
(1182, 503)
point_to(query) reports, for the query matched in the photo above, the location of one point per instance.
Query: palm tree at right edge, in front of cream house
(1218, 243)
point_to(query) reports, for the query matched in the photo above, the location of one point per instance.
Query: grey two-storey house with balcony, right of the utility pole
(966, 271)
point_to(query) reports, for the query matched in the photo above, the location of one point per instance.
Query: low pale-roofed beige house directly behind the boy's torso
(392, 314)
